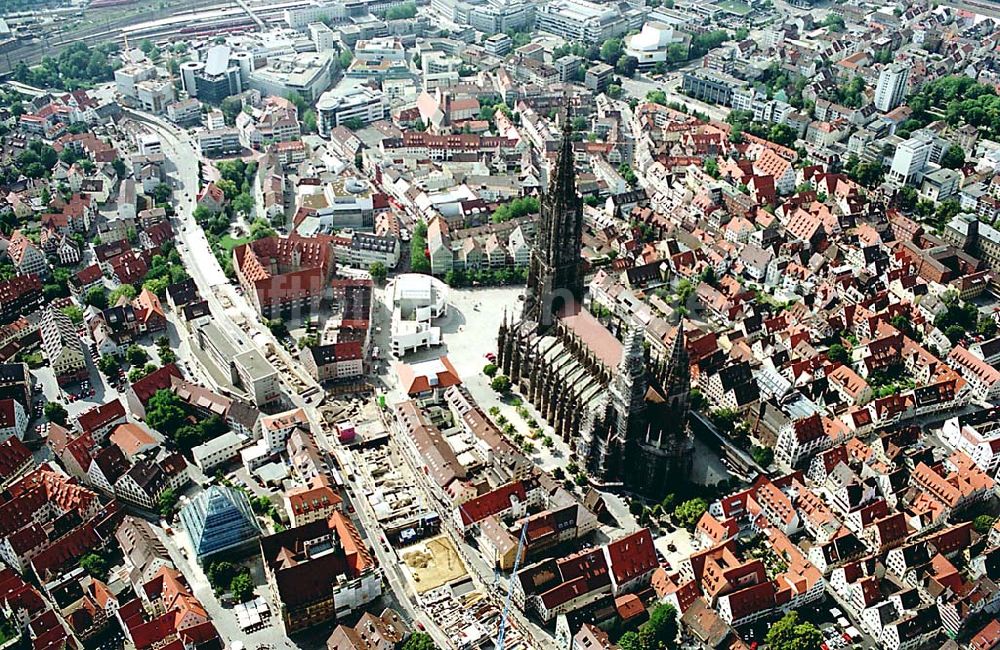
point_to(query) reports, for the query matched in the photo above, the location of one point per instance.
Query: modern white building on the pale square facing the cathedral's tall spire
(418, 300)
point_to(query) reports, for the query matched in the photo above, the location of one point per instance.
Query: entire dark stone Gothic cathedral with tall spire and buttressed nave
(624, 414)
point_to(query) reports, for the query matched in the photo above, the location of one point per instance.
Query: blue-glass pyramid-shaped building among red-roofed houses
(219, 519)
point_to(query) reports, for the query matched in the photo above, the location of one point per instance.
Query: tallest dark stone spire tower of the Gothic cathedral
(555, 274)
